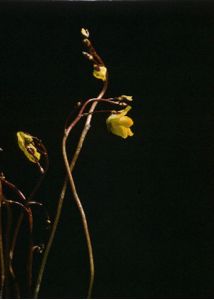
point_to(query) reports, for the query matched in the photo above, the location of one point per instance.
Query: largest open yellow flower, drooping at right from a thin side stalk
(119, 124)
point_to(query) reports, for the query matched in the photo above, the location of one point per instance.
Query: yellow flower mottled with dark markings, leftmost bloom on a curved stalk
(26, 144)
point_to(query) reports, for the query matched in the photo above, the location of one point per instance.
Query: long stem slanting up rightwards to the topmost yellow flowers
(63, 191)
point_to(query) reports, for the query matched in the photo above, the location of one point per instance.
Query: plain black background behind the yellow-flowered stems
(149, 199)
